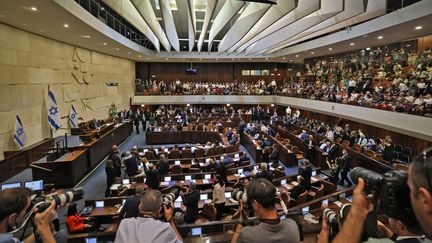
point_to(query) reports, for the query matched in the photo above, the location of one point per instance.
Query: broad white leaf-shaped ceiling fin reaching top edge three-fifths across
(248, 18)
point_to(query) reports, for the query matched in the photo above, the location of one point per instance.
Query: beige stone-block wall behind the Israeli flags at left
(30, 63)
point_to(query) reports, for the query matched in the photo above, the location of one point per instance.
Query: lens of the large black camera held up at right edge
(373, 180)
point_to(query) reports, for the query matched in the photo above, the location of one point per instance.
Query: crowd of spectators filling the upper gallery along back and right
(400, 85)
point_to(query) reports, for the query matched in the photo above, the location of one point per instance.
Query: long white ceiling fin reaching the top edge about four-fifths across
(329, 8)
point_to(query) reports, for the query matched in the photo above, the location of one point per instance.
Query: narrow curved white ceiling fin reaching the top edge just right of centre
(228, 11)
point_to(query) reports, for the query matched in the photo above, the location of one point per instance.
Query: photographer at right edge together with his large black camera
(402, 197)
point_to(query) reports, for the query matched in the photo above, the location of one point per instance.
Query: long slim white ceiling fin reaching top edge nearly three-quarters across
(303, 9)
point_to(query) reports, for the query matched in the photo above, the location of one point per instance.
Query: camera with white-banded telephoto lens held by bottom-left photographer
(43, 202)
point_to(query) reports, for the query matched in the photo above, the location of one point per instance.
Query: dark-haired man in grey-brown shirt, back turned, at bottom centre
(262, 195)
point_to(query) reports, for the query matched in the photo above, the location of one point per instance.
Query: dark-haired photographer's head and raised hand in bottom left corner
(14, 205)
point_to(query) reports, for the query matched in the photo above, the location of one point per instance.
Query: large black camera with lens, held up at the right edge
(390, 191)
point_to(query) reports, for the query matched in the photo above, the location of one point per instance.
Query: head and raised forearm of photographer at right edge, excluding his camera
(420, 187)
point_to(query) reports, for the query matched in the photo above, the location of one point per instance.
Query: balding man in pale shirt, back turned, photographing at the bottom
(149, 228)
